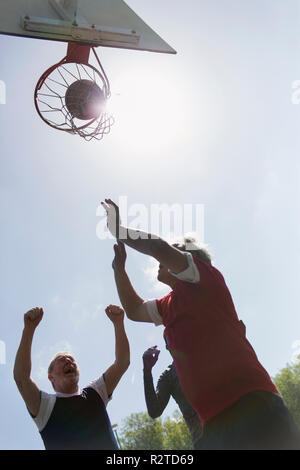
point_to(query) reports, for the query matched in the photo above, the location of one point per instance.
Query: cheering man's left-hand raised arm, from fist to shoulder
(22, 368)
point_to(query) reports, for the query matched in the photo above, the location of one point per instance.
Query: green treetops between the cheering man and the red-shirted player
(140, 432)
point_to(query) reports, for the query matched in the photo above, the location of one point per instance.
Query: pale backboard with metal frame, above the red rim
(110, 23)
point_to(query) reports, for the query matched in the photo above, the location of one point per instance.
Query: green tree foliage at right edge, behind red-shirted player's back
(288, 383)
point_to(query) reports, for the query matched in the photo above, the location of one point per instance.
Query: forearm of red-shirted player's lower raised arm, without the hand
(128, 297)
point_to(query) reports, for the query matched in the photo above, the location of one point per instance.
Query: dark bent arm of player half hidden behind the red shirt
(156, 401)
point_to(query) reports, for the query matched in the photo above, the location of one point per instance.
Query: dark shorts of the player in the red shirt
(257, 421)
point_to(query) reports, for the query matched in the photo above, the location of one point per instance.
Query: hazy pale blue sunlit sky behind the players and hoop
(213, 125)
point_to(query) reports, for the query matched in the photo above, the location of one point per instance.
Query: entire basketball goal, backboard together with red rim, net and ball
(71, 95)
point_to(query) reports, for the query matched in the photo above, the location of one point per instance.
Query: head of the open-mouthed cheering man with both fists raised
(65, 374)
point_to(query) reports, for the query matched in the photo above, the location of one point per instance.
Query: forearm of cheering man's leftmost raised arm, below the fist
(22, 367)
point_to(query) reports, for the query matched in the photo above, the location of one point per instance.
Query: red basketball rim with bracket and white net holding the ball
(71, 95)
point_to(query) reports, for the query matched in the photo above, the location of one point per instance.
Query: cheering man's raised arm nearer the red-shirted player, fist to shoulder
(122, 352)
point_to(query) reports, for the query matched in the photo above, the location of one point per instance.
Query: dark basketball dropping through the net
(84, 100)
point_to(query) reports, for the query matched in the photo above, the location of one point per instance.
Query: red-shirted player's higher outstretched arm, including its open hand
(145, 243)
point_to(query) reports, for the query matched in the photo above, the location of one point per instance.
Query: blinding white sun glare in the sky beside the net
(149, 111)
